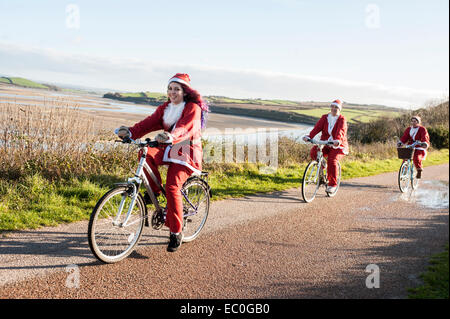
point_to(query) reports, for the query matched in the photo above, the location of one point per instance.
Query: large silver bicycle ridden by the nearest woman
(114, 233)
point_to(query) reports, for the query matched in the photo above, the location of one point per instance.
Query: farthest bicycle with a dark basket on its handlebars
(407, 171)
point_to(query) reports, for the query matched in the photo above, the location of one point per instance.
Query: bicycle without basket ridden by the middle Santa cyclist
(315, 174)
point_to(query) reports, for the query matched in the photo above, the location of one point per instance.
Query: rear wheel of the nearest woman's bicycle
(196, 200)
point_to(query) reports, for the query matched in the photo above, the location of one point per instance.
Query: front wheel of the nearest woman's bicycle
(109, 240)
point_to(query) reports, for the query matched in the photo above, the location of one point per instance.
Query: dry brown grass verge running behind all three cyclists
(59, 142)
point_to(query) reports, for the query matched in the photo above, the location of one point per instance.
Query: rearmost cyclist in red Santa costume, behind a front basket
(416, 133)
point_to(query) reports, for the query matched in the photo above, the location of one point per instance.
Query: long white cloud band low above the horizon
(129, 74)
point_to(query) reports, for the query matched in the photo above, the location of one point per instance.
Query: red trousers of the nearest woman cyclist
(177, 174)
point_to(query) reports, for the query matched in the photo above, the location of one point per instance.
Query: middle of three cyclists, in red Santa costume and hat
(333, 127)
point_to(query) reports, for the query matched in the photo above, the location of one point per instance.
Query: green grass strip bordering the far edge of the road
(34, 201)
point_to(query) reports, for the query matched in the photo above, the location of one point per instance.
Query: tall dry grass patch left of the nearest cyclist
(56, 141)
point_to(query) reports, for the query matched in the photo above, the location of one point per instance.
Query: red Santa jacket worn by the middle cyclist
(338, 133)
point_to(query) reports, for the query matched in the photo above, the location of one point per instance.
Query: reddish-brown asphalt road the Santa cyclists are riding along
(263, 246)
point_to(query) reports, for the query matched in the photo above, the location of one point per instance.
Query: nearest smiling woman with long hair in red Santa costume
(181, 120)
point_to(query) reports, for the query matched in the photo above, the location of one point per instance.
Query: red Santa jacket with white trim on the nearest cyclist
(186, 148)
